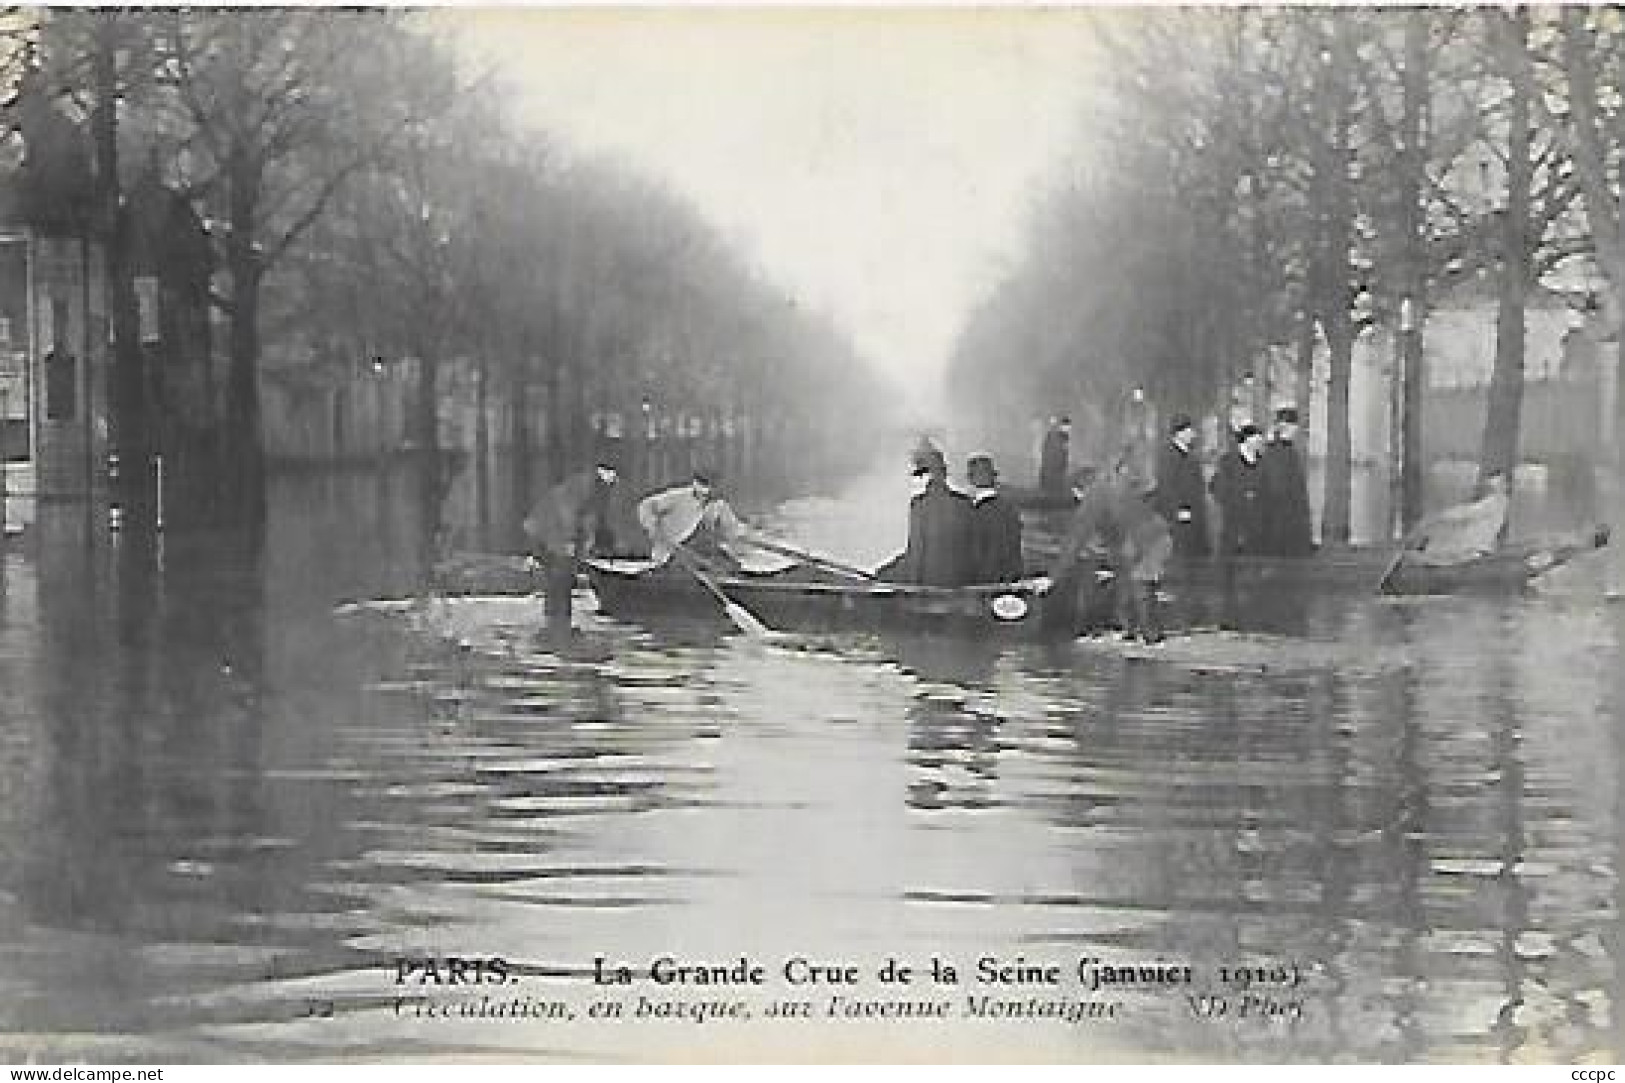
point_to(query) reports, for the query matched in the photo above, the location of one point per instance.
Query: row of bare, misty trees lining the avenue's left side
(363, 196)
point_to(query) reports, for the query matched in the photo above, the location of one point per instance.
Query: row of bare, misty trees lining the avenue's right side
(1283, 181)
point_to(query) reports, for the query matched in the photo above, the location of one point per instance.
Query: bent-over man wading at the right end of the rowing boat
(1114, 511)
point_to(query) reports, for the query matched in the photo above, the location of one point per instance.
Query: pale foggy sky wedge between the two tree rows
(878, 165)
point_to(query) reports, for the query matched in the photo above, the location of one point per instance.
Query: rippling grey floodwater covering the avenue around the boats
(236, 809)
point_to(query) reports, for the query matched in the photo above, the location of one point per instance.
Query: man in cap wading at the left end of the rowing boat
(571, 523)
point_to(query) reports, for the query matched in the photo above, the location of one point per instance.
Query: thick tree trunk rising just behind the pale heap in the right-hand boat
(1506, 406)
